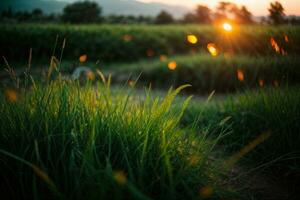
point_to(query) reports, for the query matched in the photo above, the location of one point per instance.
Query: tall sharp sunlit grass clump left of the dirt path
(66, 141)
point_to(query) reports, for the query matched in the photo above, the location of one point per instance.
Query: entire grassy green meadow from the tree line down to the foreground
(129, 129)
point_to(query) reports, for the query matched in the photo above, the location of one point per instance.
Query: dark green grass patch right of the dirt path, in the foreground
(247, 116)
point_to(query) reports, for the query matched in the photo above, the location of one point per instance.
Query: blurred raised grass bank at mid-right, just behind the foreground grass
(206, 73)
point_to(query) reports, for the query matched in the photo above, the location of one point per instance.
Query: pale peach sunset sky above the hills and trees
(257, 7)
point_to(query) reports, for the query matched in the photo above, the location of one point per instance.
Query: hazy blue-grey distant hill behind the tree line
(124, 7)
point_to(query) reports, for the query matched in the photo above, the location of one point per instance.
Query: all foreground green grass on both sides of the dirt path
(62, 140)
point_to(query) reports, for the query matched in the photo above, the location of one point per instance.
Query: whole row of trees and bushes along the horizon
(91, 12)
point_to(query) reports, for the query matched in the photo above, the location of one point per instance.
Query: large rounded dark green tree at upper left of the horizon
(82, 12)
